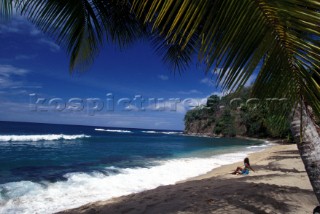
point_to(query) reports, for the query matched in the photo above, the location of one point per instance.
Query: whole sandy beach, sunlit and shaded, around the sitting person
(279, 185)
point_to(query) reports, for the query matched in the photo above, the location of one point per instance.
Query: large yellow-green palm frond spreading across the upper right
(236, 37)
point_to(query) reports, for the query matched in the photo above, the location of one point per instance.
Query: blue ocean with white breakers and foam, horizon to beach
(49, 168)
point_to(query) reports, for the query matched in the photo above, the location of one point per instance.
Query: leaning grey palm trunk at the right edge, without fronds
(308, 144)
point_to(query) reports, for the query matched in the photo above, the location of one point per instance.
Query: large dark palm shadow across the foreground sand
(213, 195)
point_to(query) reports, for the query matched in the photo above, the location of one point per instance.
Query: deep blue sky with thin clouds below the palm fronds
(36, 86)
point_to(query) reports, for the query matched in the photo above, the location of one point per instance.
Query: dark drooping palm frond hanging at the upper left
(75, 25)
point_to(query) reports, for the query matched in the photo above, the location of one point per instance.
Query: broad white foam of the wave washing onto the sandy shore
(81, 188)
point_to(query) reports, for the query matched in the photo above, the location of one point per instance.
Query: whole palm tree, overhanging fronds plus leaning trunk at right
(231, 37)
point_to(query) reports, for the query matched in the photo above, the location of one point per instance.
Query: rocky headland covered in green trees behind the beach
(237, 114)
